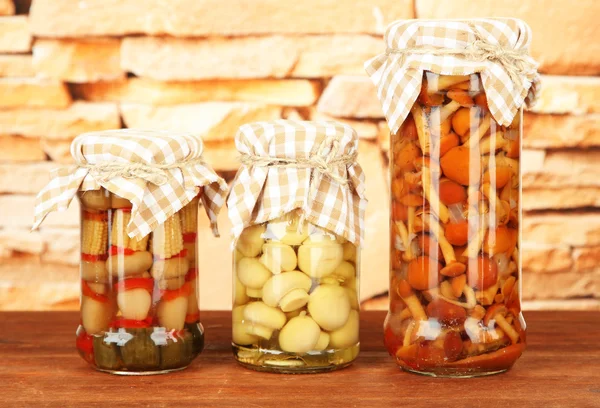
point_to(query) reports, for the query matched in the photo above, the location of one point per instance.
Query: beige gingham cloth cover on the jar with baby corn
(172, 161)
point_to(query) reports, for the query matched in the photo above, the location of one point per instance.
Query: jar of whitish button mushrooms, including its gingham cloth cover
(296, 258)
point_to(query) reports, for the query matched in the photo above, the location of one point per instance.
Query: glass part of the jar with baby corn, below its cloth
(139, 297)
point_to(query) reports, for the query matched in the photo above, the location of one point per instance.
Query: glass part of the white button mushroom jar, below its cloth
(295, 297)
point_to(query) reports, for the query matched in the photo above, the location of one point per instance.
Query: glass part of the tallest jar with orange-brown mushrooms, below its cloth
(455, 272)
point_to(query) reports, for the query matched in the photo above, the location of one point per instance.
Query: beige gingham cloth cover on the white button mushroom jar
(327, 184)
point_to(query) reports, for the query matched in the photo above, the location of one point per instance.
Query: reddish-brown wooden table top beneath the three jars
(39, 366)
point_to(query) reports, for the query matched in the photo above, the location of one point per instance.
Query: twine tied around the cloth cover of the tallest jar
(515, 62)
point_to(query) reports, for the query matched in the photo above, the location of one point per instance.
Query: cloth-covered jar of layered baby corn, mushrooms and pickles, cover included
(139, 276)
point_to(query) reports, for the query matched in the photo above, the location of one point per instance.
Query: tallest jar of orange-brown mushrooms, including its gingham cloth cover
(455, 223)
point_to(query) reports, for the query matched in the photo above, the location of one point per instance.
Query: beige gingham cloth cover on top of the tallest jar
(398, 73)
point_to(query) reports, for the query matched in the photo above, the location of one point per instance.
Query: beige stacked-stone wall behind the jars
(206, 66)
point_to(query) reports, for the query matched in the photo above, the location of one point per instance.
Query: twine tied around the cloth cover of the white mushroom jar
(327, 164)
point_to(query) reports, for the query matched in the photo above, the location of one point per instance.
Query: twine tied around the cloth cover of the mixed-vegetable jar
(153, 173)
